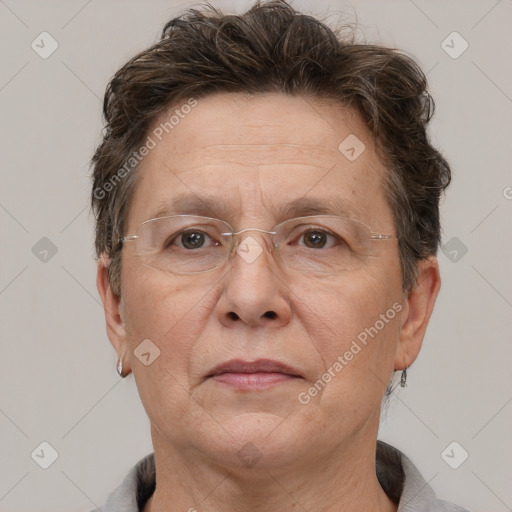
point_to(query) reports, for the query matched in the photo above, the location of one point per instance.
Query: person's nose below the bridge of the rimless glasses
(255, 291)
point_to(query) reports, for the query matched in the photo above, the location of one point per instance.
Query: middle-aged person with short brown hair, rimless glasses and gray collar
(267, 221)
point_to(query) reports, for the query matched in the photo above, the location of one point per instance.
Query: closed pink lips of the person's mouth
(259, 374)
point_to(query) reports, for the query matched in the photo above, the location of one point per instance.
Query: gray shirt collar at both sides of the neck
(397, 475)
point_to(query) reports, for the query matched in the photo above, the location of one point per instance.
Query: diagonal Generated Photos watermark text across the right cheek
(343, 360)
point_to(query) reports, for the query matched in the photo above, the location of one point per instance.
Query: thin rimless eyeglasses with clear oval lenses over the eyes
(188, 244)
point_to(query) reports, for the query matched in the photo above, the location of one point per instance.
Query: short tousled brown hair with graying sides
(270, 48)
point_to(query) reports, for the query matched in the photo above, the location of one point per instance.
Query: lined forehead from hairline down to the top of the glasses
(240, 155)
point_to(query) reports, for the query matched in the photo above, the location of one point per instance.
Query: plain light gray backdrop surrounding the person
(58, 381)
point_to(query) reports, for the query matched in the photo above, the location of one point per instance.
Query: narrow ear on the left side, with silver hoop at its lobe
(113, 314)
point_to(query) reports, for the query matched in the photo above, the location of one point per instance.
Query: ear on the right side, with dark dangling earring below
(417, 311)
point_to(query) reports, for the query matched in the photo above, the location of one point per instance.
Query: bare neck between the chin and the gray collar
(344, 480)
